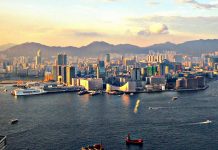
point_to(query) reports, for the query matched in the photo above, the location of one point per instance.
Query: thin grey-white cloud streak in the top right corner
(197, 4)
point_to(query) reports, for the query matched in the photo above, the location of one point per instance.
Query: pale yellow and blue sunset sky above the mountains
(80, 22)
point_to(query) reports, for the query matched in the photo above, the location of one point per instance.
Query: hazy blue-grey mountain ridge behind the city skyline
(194, 47)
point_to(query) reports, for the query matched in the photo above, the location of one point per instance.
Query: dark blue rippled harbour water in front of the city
(69, 121)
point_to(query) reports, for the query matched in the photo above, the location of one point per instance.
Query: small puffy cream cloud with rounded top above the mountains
(155, 29)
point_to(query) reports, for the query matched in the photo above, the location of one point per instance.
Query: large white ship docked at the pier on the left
(28, 91)
